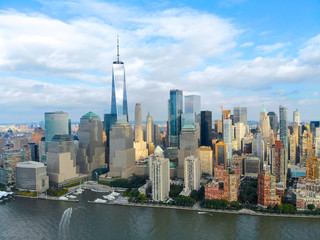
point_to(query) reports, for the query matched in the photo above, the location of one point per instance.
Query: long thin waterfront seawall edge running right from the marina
(248, 213)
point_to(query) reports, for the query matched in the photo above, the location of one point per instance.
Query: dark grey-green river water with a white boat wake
(41, 219)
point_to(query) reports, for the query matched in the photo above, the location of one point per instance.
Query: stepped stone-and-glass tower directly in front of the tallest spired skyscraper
(122, 153)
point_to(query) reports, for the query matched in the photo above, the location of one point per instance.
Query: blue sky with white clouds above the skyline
(57, 55)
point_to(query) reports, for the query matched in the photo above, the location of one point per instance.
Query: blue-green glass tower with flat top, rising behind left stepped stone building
(56, 123)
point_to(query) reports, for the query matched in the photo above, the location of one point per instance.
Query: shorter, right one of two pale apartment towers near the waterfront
(192, 173)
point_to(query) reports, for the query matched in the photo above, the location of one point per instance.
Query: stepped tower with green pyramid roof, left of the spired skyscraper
(91, 151)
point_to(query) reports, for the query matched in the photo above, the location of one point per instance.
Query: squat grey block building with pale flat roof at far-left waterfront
(31, 176)
